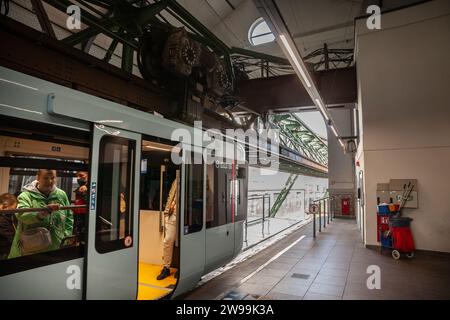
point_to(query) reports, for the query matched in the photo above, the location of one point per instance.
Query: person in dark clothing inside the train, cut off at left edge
(7, 228)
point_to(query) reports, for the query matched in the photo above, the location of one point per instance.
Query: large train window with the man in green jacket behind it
(35, 174)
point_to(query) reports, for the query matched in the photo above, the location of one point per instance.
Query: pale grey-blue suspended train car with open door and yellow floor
(117, 254)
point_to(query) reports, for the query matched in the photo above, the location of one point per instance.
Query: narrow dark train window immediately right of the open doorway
(193, 215)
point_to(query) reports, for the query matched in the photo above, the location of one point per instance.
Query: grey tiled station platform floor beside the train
(331, 267)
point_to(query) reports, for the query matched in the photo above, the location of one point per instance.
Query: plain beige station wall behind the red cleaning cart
(403, 81)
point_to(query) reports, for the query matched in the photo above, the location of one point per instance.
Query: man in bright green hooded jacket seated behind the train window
(42, 193)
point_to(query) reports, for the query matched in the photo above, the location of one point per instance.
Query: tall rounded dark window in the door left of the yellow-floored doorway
(115, 191)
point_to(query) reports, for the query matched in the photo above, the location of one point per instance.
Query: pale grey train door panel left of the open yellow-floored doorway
(112, 246)
